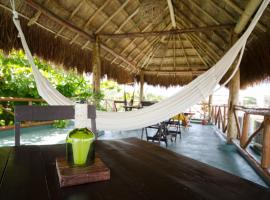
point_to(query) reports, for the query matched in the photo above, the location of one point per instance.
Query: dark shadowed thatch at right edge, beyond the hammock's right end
(255, 65)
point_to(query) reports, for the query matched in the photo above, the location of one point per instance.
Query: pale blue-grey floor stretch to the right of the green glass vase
(205, 144)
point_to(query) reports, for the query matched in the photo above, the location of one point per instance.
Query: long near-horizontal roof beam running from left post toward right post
(161, 33)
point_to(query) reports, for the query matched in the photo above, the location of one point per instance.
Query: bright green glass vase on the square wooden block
(80, 147)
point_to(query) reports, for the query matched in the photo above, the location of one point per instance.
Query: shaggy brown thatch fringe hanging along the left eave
(57, 50)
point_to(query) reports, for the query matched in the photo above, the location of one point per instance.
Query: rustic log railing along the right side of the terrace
(244, 137)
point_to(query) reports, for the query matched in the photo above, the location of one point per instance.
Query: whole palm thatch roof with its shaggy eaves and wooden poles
(167, 53)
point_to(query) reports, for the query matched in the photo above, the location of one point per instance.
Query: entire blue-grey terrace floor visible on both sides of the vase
(199, 142)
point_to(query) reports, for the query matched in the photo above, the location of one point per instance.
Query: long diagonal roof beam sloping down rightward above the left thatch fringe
(75, 29)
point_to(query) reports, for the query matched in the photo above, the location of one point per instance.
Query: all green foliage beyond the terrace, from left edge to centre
(16, 80)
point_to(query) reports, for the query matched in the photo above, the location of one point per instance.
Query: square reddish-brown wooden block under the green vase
(69, 176)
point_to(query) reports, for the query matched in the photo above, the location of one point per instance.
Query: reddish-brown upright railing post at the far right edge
(265, 163)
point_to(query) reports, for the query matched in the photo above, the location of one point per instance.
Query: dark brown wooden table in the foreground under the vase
(139, 170)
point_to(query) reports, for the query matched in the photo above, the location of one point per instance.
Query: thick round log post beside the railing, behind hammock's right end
(234, 85)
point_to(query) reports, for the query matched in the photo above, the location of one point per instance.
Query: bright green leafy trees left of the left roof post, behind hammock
(16, 80)
